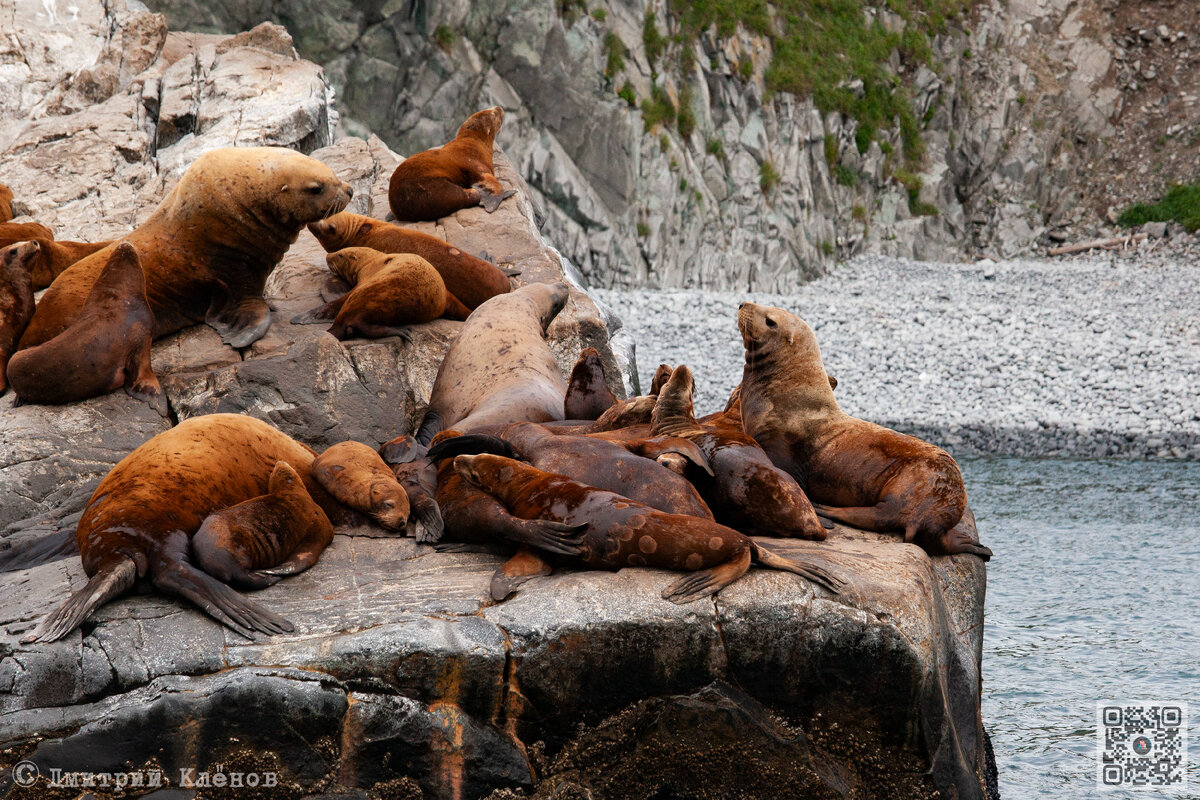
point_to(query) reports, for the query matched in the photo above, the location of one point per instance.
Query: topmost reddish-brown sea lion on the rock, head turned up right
(437, 183)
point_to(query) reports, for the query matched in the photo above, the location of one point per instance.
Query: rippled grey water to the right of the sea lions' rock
(1094, 594)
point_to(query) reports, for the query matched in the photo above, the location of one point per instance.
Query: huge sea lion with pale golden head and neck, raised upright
(211, 245)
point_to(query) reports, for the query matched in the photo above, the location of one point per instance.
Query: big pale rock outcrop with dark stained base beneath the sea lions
(403, 679)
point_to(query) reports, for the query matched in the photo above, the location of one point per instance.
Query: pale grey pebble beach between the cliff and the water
(1089, 357)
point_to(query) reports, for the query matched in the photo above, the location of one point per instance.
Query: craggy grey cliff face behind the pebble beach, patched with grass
(1013, 116)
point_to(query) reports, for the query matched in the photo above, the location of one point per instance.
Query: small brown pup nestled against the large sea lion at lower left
(257, 543)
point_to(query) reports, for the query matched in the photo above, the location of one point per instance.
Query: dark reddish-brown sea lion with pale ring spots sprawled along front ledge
(622, 533)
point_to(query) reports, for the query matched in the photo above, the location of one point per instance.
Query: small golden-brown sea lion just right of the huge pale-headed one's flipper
(389, 291)
